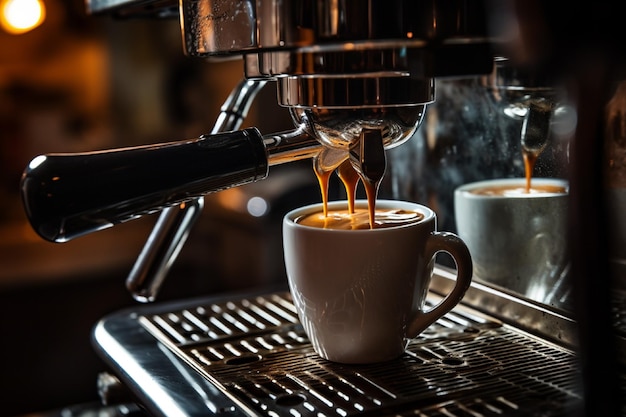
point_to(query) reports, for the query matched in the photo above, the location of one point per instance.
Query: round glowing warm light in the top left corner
(20, 16)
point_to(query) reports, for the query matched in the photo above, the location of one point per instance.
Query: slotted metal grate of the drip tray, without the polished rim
(466, 364)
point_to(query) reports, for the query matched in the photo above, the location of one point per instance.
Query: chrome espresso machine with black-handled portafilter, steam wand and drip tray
(347, 71)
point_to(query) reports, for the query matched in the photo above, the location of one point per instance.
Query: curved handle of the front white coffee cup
(453, 245)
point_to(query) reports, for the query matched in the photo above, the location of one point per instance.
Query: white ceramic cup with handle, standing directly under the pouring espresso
(360, 294)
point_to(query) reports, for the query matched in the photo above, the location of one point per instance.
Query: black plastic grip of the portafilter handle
(69, 195)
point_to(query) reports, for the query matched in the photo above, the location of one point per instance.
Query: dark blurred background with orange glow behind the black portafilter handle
(79, 83)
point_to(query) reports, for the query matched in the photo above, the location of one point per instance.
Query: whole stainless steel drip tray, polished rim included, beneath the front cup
(248, 355)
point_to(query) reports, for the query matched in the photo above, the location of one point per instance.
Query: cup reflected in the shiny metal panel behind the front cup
(518, 241)
